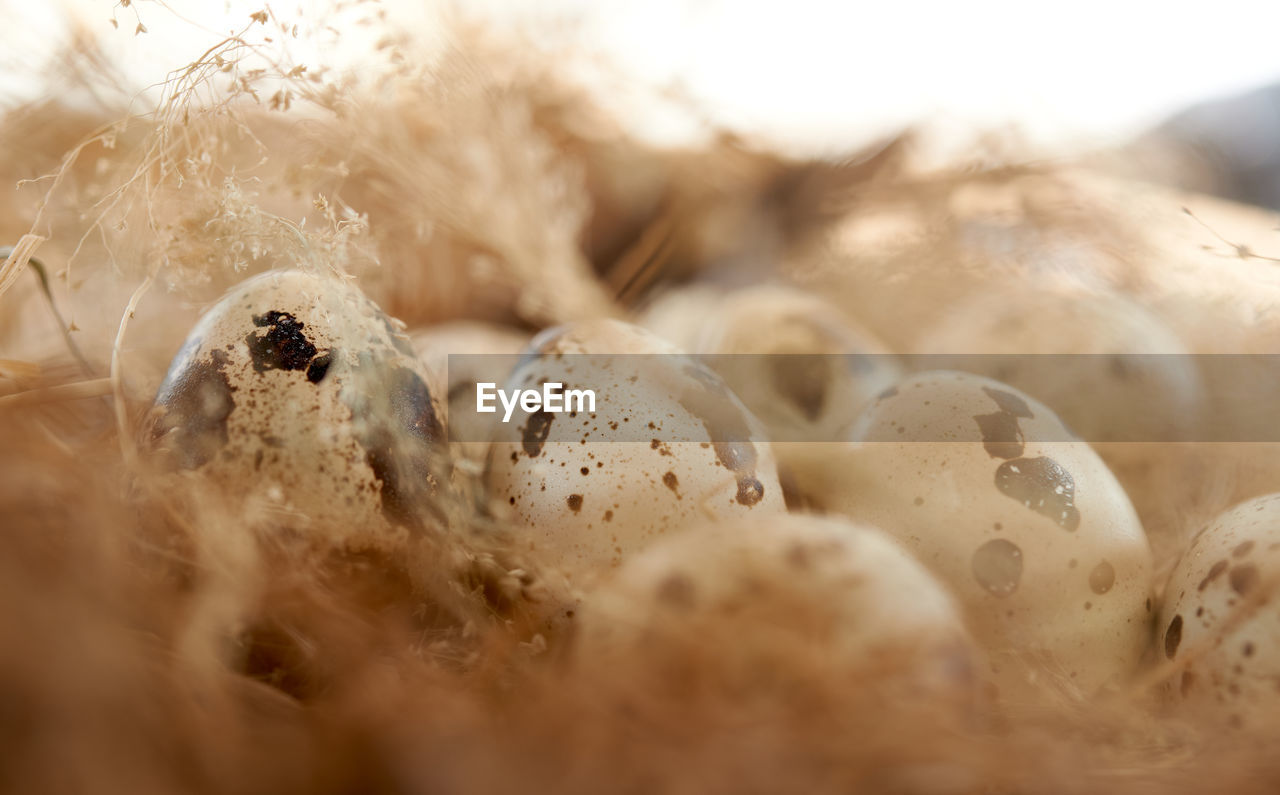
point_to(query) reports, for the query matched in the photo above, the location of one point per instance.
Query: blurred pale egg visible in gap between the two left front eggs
(483, 354)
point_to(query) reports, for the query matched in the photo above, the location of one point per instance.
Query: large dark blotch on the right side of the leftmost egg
(396, 424)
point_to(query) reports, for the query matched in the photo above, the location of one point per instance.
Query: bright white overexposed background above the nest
(811, 75)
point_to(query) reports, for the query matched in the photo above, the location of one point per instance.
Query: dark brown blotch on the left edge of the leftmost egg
(195, 403)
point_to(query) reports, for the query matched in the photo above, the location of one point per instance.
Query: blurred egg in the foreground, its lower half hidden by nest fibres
(776, 590)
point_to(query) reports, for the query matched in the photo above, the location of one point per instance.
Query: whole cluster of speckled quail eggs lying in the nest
(940, 517)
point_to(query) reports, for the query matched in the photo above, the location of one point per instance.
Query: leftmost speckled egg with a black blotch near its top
(296, 390)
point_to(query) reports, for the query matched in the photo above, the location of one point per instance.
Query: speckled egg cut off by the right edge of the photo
(1220, 619)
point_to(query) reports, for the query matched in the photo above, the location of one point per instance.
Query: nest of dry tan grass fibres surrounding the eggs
(149, 643)
